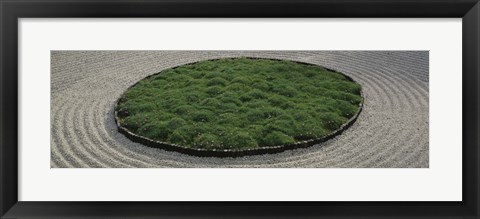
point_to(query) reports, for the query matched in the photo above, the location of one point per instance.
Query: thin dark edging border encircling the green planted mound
(236, 153)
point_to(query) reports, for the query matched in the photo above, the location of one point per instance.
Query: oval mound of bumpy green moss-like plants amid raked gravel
(239, 104)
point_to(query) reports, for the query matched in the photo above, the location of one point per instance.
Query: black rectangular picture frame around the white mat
(12, 10)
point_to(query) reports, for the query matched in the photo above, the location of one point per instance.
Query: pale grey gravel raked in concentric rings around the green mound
(391, 131)
